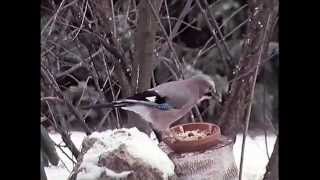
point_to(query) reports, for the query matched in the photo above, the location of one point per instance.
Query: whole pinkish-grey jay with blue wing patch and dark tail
(166, 103)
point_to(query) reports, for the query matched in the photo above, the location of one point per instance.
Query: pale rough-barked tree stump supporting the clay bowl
(216, 163)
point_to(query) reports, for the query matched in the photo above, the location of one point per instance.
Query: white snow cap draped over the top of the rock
(138, 144)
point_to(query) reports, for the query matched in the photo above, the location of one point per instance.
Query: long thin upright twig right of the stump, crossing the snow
(248, 112)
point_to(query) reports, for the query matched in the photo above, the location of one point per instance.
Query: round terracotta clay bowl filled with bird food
(193, 137)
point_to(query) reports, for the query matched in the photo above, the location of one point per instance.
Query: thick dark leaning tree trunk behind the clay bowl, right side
(232, 114)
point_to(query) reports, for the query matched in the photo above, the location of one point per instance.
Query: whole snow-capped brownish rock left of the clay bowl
(122, 154)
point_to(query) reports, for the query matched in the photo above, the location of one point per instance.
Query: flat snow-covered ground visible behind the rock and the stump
(255, 157)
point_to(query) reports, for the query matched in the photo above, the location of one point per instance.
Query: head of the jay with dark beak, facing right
(207, 89)
